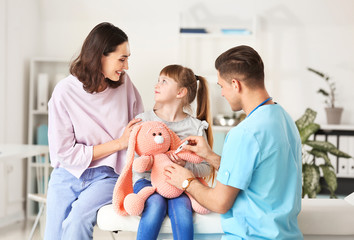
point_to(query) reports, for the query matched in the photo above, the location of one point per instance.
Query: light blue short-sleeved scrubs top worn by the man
(262, 158)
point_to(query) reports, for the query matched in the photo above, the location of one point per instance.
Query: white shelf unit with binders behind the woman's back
(38, 168)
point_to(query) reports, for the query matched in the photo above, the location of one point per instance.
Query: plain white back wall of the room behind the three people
(293, 35)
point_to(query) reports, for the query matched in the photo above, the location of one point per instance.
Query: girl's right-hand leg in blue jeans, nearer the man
(181, 215)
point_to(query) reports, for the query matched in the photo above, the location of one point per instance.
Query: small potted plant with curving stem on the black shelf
(333, 113)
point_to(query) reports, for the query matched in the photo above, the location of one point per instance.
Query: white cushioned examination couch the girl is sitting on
(318, 219)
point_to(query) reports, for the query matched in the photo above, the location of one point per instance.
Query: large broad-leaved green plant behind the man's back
(311, 150)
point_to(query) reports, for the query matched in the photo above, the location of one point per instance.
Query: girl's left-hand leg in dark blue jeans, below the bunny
(153, 215)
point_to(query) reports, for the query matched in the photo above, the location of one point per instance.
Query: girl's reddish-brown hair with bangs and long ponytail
(185, 78)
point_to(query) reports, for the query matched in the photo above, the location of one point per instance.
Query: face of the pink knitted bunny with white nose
(152, 138)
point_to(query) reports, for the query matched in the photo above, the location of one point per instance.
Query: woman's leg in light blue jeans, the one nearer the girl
(96, 190)
